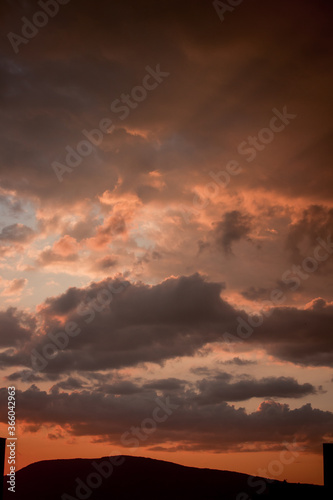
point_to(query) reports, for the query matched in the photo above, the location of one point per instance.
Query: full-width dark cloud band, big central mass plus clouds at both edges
(177, 317)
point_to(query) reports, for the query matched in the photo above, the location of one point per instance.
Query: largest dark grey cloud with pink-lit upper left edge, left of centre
(141, 324)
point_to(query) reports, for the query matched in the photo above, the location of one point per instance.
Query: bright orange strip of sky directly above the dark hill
(262, 464)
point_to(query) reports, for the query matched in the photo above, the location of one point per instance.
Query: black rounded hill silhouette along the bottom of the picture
(147, 479)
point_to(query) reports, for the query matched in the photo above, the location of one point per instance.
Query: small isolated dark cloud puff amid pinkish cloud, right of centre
(233, 227)
